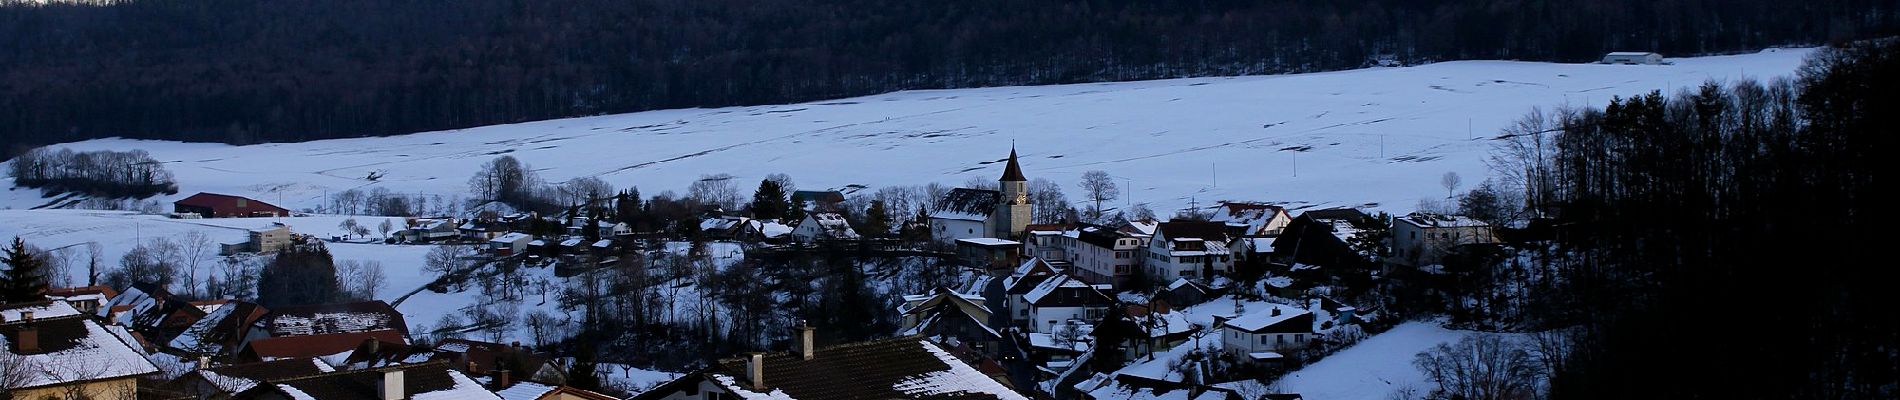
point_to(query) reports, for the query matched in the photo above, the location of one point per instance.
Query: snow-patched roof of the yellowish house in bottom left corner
(71, 350)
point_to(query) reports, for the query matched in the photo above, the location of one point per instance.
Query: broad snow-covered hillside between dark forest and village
(1359, 137)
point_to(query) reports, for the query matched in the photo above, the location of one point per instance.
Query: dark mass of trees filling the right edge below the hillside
(1726, 242)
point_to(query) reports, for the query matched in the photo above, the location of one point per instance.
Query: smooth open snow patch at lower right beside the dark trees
(1373, 369)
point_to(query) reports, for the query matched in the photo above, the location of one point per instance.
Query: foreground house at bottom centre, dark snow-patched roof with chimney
(886, 369)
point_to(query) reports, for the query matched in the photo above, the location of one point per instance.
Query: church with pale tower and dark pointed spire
(968, 213)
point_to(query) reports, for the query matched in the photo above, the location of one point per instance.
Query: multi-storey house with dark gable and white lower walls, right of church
(1188, 249)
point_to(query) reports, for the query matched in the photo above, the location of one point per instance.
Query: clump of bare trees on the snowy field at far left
(102, 173)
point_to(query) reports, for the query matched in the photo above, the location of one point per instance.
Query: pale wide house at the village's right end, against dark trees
(1422, 240)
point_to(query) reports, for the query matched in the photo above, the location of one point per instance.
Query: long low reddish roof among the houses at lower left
(333, 319)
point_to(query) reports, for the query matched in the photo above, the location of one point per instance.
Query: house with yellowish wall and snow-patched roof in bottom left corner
(54, 352)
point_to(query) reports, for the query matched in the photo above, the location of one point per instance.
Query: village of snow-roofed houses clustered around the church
(1027, 304)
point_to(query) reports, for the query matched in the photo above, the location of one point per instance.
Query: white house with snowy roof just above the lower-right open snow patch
(1268, 335)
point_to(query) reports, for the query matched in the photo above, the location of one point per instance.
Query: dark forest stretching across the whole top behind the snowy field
(252, 71)
